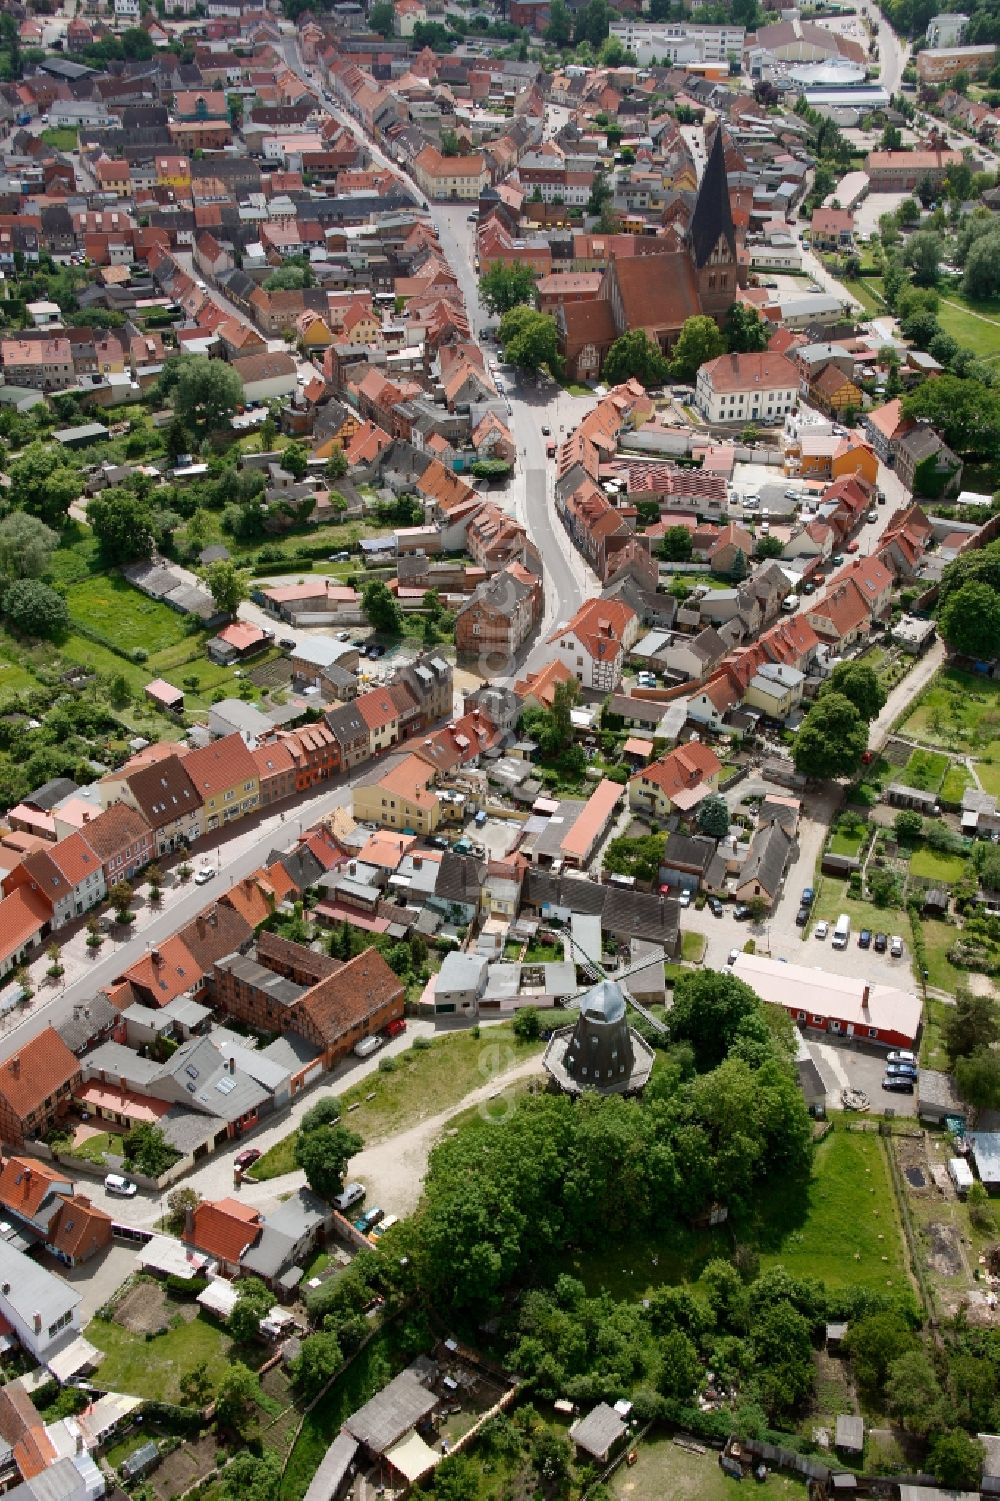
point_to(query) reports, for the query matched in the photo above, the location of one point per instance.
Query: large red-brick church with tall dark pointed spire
(658, 292)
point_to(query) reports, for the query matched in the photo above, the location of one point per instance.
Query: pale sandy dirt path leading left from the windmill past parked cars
(394, 1170)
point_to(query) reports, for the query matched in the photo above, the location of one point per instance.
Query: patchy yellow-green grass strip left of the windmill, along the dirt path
(424, 1083)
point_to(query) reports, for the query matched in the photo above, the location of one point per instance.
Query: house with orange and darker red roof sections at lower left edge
(41, 1199)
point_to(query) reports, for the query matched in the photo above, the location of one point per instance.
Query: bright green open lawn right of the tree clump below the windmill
(845, 1224)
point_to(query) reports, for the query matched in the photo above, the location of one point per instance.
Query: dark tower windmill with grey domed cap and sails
(601, 1051)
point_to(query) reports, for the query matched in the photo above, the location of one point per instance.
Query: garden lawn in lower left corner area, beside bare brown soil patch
(152, 1368)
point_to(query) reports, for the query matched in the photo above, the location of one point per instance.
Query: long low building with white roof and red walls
(840, 1005)
